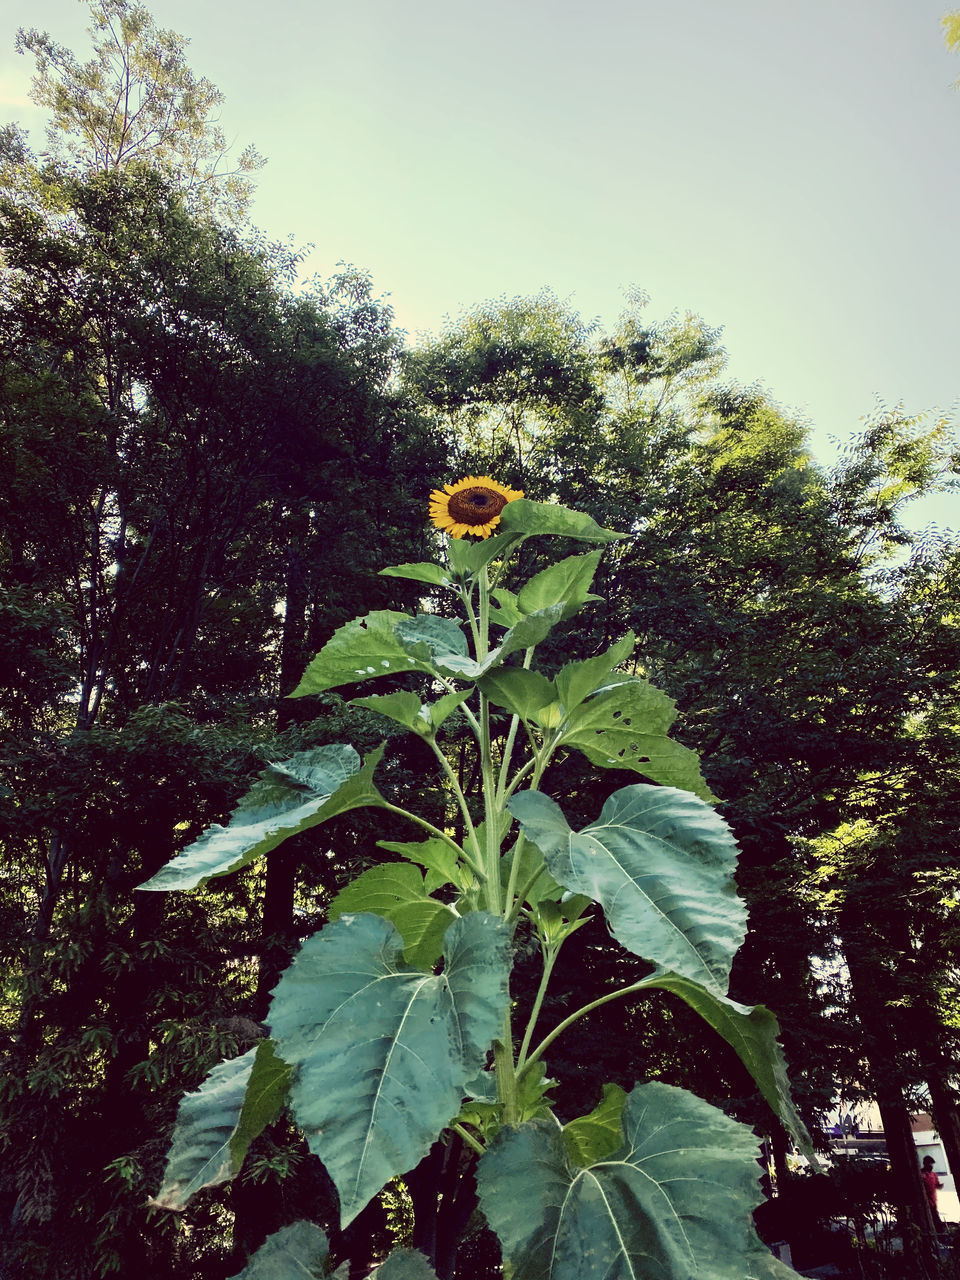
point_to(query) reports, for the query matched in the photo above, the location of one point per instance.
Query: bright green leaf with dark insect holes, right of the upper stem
(625, 728)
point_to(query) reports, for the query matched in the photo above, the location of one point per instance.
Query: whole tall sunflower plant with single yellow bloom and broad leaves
(394, 1027)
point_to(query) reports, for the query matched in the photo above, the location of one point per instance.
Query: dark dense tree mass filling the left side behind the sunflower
(177, 428)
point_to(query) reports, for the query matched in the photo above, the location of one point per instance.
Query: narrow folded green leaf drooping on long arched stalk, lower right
(752, 1032)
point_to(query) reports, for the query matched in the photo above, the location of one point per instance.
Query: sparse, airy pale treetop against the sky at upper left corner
(136, 102)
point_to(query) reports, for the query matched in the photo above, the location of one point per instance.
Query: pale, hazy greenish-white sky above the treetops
(789, 172)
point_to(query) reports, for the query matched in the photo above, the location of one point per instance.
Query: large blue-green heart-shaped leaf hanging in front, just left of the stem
(382, 1053)
